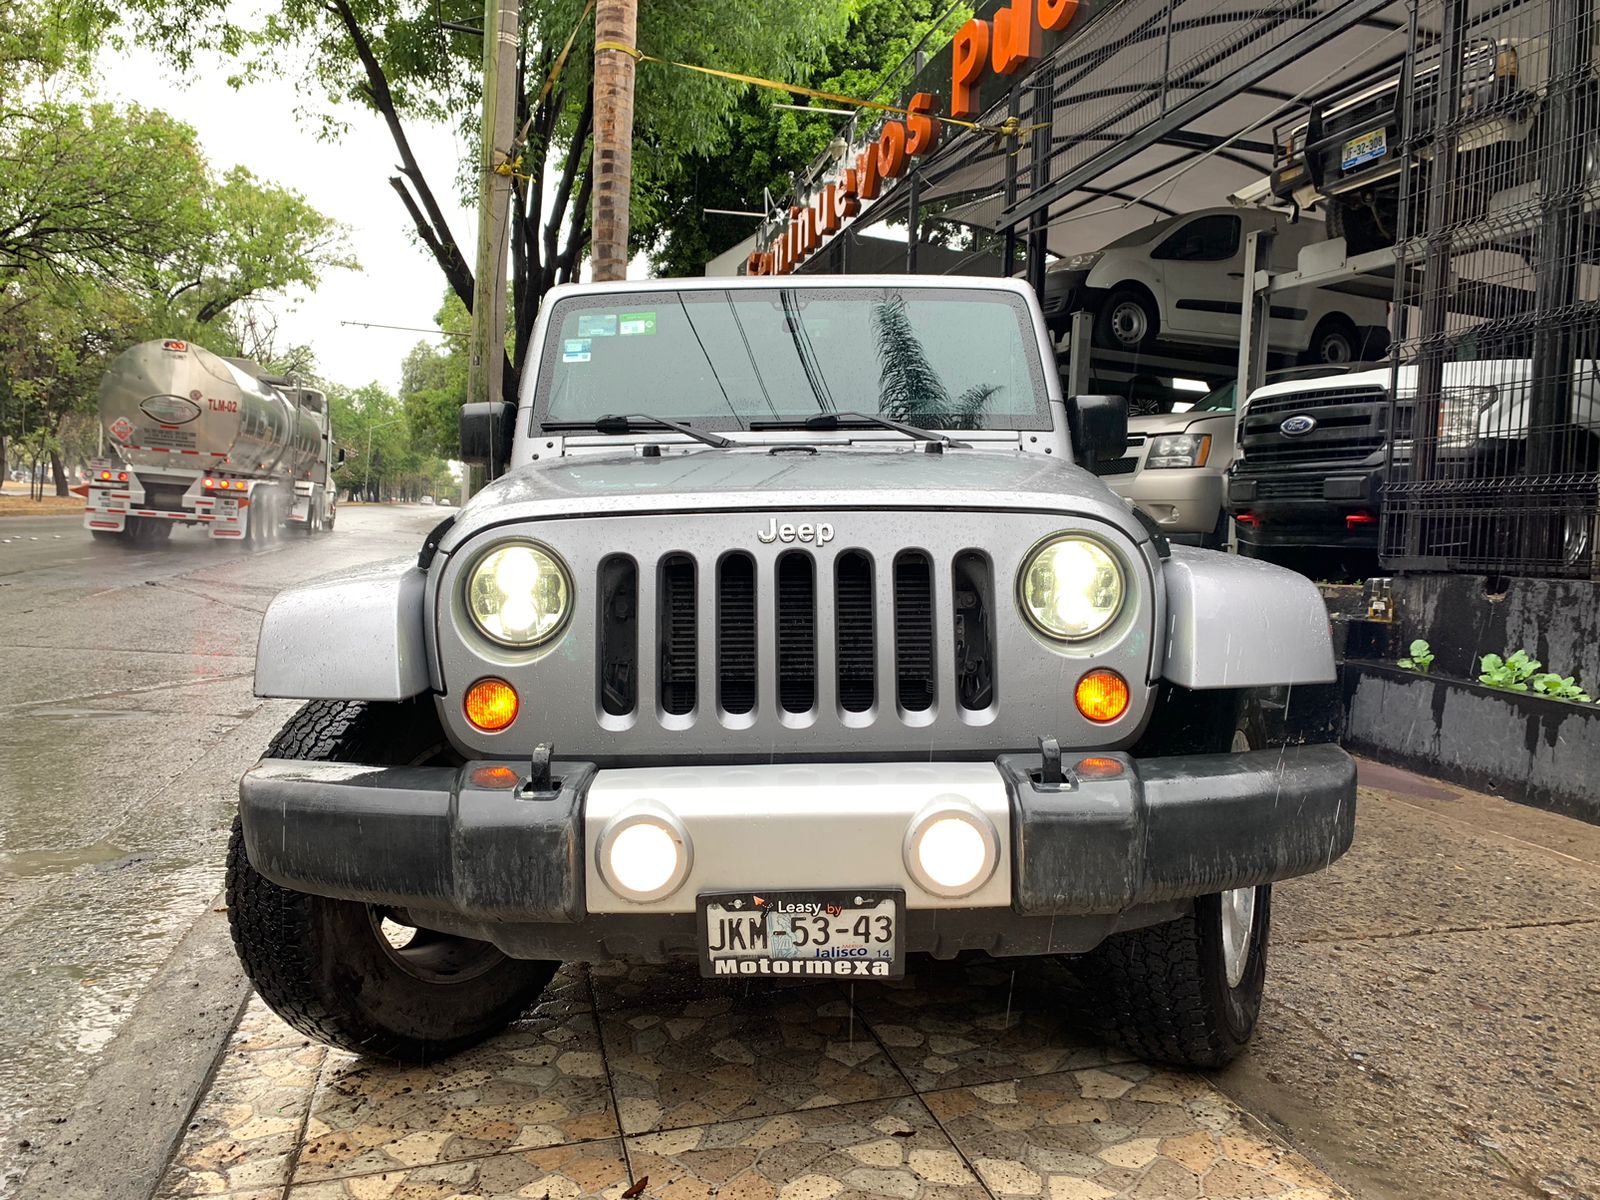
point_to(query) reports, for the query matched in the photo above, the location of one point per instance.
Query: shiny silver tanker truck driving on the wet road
(198, 439)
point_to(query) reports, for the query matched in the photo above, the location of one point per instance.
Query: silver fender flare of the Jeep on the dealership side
(1241, 623)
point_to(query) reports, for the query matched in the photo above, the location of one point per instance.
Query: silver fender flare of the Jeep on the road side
(354, 636)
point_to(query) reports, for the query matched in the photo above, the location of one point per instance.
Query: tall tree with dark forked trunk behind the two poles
(404, 62)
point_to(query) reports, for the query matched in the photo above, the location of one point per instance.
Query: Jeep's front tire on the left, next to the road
(348, 974)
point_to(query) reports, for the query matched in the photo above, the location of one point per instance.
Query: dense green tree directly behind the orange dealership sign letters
(766, 148)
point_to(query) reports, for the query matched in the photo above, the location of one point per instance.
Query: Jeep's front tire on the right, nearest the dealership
(1190, 993)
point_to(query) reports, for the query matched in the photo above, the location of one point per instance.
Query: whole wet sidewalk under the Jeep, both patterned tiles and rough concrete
(1431, 1031)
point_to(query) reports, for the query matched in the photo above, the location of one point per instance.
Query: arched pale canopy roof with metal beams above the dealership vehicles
(1158, 108)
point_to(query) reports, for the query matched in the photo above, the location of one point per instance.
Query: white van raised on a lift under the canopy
(1182, 279)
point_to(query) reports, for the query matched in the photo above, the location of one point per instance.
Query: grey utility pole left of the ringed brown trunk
(486, 362)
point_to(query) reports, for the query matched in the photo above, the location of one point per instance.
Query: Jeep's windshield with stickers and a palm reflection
(724, 359)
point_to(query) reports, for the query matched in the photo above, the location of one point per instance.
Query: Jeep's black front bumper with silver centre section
(473, 852)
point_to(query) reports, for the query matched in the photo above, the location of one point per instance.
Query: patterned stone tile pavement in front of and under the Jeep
(964, 1082)
